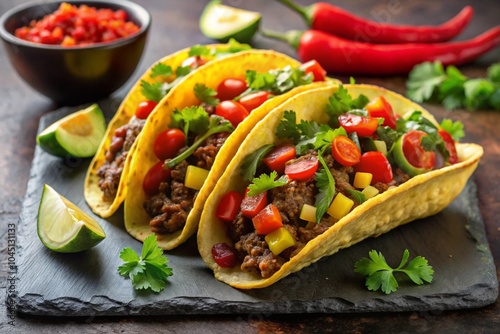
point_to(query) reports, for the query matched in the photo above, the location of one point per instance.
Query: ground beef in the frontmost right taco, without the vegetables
(252, 248)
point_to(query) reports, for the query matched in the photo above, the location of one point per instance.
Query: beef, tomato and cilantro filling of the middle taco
(187, 150)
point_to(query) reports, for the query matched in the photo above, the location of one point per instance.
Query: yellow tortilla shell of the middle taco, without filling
(235, 66)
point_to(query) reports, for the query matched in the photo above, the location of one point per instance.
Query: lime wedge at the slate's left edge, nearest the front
(63, 227)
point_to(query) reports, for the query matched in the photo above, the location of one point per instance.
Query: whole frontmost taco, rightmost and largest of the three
(324, 170)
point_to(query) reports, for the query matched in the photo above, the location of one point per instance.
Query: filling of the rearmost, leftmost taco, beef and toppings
(162, 79)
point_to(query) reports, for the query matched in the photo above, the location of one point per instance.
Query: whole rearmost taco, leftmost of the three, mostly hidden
(104, 187)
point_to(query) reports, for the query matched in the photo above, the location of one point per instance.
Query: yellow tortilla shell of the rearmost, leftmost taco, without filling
(93, 194)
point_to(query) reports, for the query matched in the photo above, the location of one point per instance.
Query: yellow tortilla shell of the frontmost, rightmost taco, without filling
(421, 196)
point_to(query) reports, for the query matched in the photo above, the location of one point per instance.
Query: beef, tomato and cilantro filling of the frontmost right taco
(317, 173)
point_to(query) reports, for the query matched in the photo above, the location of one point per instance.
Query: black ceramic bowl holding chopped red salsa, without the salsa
(79, 74)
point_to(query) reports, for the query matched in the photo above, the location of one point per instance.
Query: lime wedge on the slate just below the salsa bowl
(76, 135)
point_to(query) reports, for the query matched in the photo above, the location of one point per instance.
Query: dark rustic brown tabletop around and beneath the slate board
(175, 26)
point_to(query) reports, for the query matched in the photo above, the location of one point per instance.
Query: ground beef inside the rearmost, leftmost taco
(110, 172)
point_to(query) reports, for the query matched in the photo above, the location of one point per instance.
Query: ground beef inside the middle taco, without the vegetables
(170, 207)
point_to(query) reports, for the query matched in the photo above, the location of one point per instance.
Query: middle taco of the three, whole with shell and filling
(198, 128)
